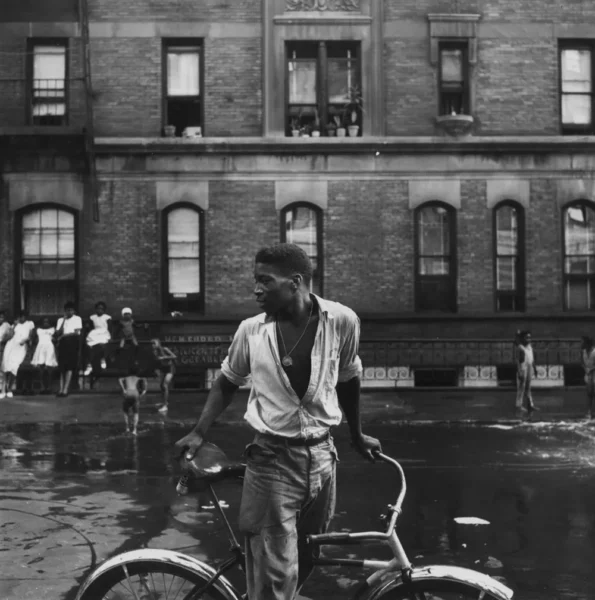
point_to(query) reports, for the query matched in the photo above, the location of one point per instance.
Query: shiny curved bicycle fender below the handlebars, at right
(477, 580)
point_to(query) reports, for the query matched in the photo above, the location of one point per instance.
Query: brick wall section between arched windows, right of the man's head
(371, 271)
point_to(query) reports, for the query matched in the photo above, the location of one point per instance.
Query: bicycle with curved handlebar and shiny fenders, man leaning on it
(151, 574)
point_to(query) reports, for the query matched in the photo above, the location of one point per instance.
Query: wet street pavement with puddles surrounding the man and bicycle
(73, 494)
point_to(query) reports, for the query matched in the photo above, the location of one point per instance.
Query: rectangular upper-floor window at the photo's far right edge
(576, 88)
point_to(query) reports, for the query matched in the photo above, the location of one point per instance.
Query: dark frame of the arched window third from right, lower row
(452, 303)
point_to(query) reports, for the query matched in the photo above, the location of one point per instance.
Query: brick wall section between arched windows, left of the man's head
(240, 220)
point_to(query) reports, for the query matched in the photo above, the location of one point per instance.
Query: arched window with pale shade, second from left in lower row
(184, 259)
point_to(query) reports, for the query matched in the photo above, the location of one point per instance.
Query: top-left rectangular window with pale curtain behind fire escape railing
(48, 85)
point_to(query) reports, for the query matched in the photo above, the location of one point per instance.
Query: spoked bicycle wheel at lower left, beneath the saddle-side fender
(150, 579)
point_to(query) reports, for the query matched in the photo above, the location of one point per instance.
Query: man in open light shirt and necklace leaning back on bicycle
(301, 354)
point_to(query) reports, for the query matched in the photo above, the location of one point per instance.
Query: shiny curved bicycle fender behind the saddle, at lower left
(164, 556)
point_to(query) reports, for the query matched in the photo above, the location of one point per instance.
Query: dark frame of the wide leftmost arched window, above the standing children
(19, 299)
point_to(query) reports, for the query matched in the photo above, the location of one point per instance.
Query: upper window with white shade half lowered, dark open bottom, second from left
(183, 86)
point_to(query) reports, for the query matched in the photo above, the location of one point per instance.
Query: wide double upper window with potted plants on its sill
(323, 86)
